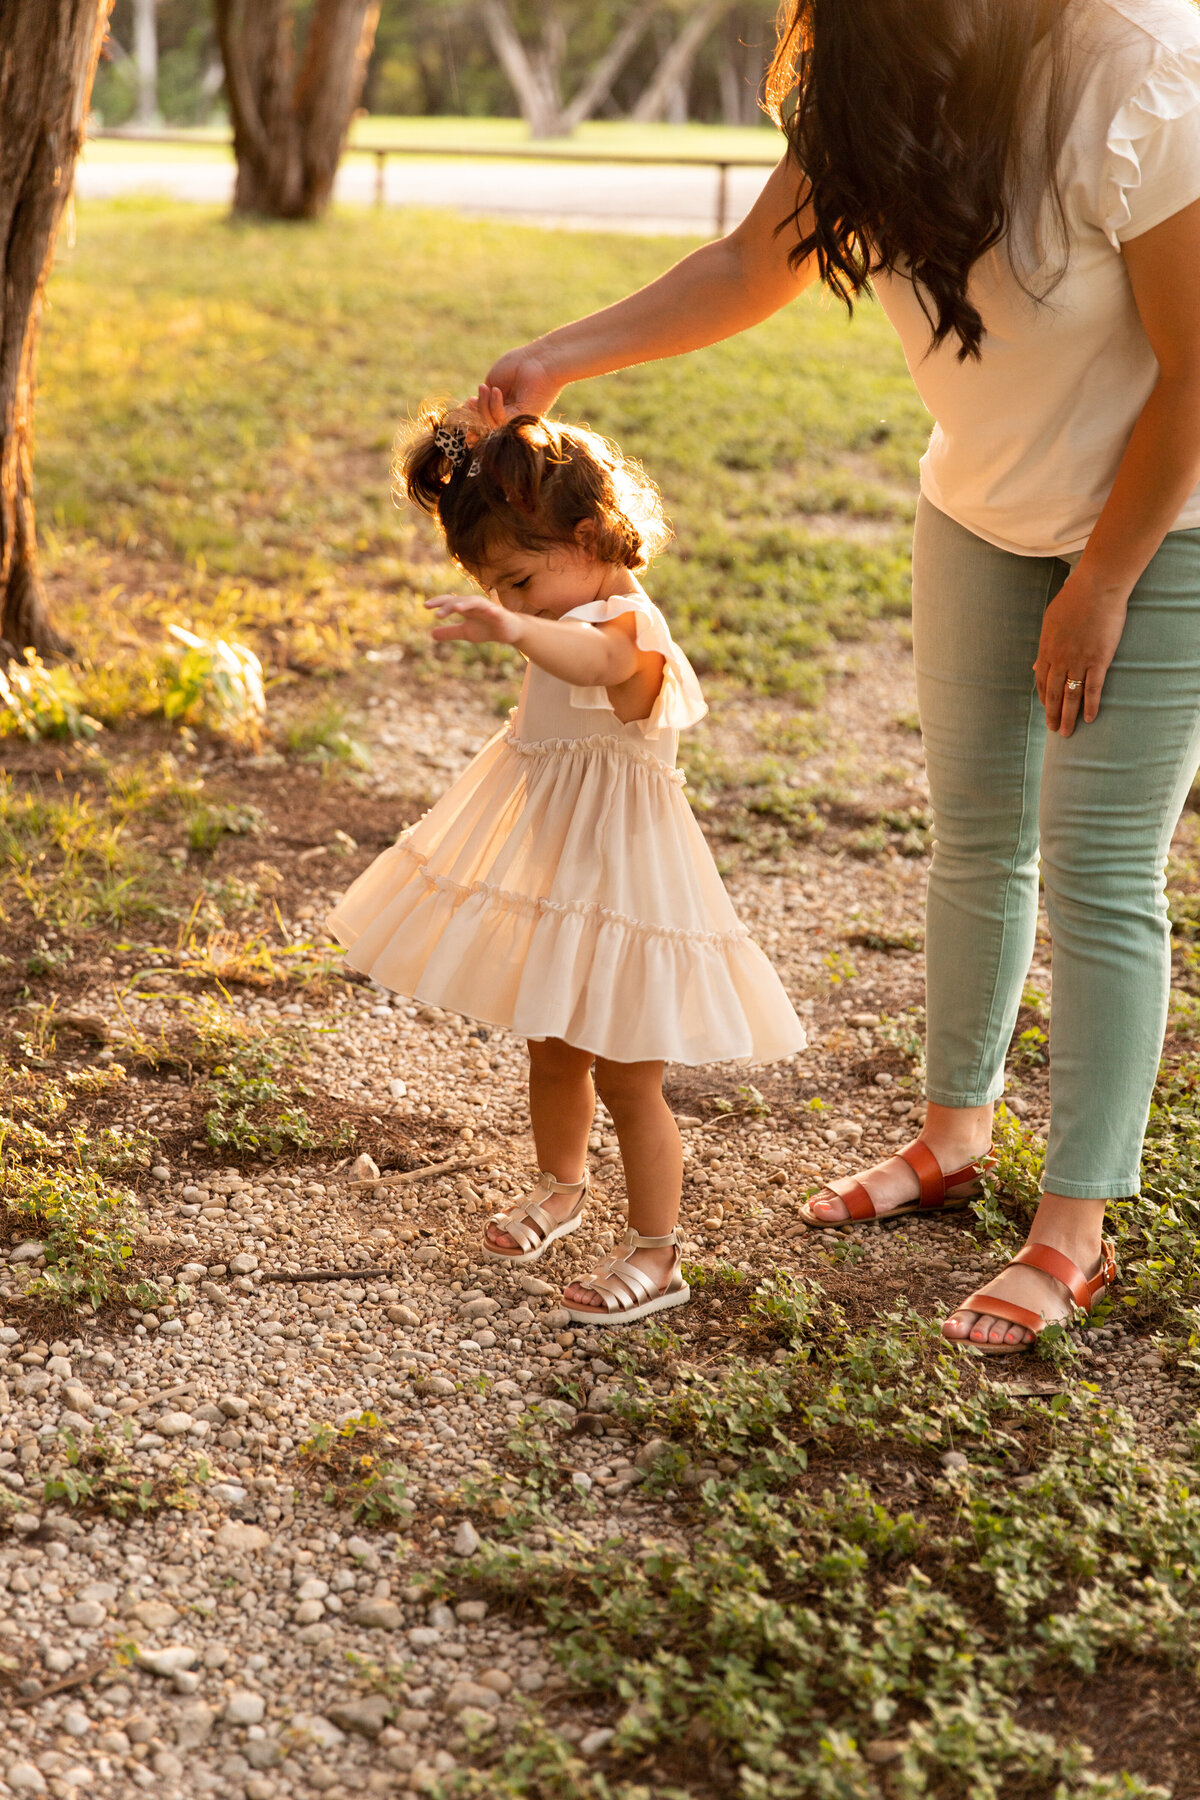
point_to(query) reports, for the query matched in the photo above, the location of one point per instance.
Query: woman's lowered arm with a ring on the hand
(1158, 472)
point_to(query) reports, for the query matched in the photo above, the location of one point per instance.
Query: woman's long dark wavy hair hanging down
(906, 120)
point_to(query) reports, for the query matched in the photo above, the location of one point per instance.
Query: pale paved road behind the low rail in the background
(586, 195)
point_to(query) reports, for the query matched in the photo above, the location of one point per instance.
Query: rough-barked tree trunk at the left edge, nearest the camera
(48, 64)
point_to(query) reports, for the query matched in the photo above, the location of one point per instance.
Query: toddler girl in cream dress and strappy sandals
(562, 886)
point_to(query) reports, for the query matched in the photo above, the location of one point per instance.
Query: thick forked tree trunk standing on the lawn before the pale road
(291, 130)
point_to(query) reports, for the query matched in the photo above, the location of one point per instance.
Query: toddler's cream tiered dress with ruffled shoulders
(562, 886)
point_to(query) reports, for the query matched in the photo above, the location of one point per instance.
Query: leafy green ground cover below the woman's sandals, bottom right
(837, 1601)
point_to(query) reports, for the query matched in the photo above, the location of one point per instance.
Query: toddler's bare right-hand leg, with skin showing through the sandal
(654, 1162)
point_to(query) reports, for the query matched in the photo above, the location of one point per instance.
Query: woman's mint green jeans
(1100, 805)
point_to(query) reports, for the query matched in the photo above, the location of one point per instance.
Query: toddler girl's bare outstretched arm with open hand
(587, 656)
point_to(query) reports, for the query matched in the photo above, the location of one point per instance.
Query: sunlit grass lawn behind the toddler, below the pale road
(219, 408)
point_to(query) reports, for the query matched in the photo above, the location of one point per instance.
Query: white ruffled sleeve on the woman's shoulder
(1152, 152)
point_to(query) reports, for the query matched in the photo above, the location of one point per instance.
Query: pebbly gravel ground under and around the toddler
(233, 1621)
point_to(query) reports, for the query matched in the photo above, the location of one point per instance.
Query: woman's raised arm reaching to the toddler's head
(719, 291)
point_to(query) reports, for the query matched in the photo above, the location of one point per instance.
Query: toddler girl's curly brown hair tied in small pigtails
(528, 485)
